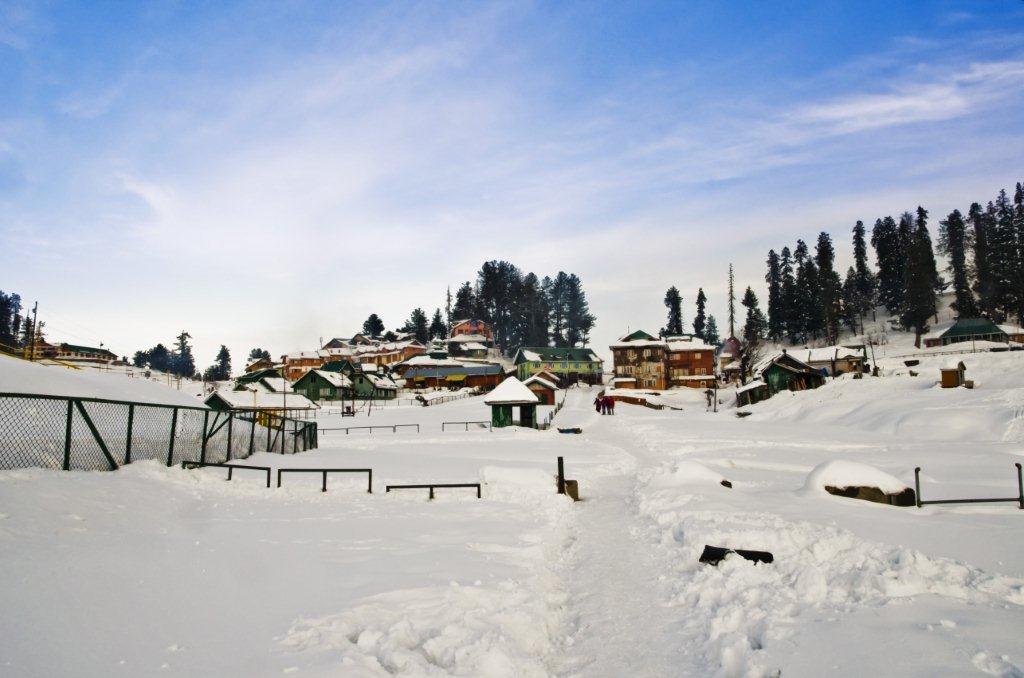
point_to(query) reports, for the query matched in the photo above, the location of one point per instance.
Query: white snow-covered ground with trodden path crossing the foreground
(155, 571)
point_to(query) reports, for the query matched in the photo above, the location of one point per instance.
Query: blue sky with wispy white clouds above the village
(270, 174)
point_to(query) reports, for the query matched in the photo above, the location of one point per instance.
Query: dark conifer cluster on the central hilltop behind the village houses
(523, 310)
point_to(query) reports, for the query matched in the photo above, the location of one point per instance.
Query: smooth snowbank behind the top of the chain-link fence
(19, 376)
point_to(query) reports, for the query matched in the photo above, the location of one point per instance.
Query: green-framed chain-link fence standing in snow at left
(87, 434)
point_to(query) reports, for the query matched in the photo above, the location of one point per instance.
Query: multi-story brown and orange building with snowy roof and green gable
(643, 361)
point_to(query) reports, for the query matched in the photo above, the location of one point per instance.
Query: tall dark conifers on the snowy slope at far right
(808, 301)
